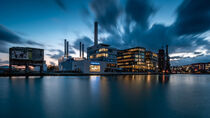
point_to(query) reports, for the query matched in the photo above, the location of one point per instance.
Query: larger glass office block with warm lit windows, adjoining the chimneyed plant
(132, 60)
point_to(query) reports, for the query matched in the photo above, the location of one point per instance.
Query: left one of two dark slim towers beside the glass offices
(161, 60)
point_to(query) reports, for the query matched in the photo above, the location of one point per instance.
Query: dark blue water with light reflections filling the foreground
(128, 96)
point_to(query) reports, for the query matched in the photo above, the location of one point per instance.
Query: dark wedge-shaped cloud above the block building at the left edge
(8, 37)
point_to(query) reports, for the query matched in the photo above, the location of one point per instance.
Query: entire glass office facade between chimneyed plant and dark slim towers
(137, 60)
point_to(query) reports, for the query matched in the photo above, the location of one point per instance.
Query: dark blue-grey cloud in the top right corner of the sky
(193, 17)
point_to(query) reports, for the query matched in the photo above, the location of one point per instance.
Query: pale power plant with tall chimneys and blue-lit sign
(100, 58)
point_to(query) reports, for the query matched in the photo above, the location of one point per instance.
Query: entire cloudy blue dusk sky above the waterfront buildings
(182, 24)
